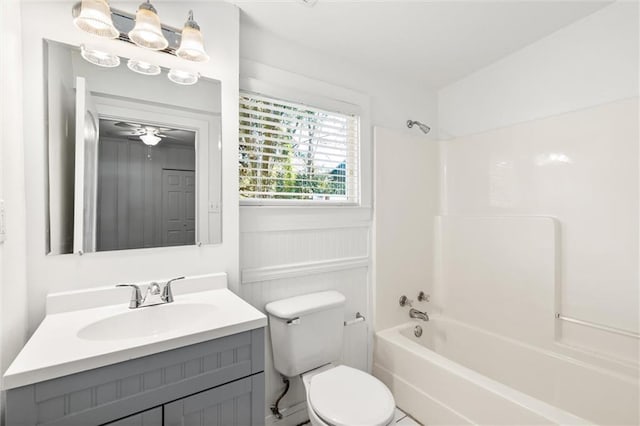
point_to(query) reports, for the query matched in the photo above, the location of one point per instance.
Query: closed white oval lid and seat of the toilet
(344, 396)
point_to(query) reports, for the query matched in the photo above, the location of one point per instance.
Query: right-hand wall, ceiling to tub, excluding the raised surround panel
(553, 130)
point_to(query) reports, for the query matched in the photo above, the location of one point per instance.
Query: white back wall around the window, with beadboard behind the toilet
(286, 252)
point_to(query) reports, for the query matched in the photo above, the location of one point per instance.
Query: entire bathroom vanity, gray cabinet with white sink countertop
(74, 371)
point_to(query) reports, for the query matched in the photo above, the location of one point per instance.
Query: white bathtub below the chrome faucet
(458, 374)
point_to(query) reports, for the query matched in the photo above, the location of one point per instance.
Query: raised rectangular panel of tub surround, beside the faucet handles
(499, 273)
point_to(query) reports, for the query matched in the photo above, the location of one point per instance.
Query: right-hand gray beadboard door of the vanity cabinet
(239, 403)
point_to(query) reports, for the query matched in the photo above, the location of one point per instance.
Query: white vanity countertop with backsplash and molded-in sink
(60, 345)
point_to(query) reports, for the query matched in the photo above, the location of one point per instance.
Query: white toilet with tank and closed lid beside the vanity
(306, 337)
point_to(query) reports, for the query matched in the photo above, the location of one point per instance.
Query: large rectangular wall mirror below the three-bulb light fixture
(134, 160)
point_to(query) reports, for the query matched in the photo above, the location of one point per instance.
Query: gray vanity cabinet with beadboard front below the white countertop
(217, 382)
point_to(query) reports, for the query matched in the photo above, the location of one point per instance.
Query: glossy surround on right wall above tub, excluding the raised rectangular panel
(582, 169)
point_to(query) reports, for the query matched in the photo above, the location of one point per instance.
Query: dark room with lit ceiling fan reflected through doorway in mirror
(168, 156)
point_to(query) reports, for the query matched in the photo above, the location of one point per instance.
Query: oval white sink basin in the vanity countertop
(148, 321)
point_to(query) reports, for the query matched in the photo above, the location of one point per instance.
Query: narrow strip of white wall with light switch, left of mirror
(13, 291)
